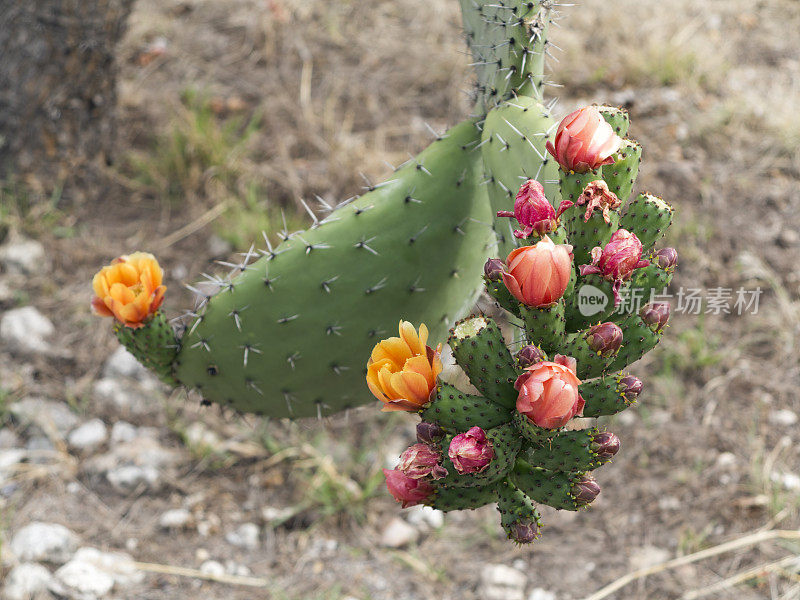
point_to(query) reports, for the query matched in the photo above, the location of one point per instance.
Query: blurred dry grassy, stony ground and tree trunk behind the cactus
(203, 125)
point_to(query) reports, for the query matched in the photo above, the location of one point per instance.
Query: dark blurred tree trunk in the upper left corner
(57, 84)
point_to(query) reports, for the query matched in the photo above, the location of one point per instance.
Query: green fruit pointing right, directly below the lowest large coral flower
(568, 451)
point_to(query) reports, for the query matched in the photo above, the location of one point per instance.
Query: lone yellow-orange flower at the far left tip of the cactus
(129, 289)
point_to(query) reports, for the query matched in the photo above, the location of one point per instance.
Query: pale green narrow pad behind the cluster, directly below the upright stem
(513, 147)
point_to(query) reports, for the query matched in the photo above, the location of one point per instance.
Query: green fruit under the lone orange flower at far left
(154, 345)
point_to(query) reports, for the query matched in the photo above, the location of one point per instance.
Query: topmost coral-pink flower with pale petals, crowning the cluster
(584, 141)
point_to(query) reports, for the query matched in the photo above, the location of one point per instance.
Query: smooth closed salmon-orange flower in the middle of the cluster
(538, 275)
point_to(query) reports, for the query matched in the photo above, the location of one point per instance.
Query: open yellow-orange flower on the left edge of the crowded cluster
(402, 371)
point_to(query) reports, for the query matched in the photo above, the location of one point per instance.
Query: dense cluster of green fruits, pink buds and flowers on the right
(518, 443)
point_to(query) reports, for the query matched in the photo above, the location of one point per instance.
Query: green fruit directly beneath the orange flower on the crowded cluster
(455, 411)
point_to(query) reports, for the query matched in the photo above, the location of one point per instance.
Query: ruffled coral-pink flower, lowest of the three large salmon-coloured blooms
(548, 393)
